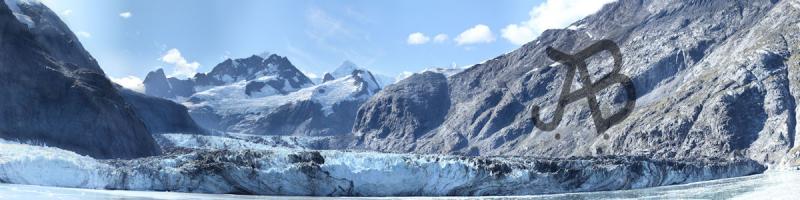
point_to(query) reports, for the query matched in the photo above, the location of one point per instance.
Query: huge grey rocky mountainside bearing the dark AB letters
(713, 78)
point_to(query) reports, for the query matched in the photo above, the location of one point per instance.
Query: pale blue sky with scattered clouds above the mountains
(130, 38)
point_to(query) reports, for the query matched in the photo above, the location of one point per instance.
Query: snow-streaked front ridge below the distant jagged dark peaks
(325, 109)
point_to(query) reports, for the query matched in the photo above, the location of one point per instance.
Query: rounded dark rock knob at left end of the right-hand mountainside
(403, 112)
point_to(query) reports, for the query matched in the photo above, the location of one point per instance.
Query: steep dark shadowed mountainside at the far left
(53, 92)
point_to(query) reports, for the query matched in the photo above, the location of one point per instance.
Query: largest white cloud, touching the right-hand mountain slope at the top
(549, 15)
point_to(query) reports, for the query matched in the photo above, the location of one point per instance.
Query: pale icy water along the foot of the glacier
(772, 185)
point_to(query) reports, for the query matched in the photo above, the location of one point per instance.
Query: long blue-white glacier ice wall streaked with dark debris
(250, 168)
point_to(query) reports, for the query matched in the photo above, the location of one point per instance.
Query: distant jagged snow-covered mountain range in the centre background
(269, 96)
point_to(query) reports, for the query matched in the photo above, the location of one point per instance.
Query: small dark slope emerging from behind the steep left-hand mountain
(161, 115)
